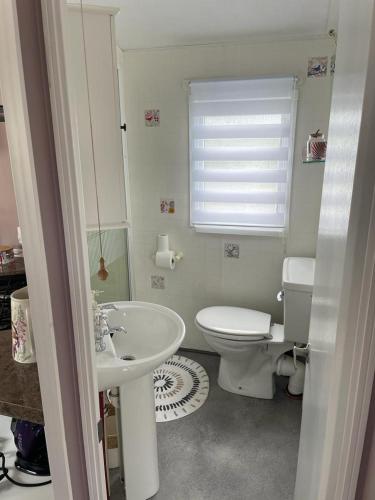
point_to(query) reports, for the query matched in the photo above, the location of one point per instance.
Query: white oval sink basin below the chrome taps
(154, 333)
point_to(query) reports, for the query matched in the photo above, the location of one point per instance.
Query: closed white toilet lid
(235, 321)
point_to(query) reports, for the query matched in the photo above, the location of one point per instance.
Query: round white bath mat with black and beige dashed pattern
(181, 387)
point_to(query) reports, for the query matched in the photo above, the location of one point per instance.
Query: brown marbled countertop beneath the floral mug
(19, 386)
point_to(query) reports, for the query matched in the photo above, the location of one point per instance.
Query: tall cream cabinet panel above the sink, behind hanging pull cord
(105, 114)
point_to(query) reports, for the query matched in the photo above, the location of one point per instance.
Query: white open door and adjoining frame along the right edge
(342, 329)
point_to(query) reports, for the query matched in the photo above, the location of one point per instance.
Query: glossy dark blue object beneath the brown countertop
(30, 441)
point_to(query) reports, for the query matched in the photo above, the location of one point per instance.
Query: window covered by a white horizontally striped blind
(241, 152)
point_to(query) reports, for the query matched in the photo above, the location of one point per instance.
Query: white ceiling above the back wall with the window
(161, 23)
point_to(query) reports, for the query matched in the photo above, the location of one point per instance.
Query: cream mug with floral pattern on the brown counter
(23, 349)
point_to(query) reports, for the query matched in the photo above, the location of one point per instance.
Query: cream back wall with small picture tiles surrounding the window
(159, 167)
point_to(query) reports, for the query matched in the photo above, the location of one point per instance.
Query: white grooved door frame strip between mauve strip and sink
(72, 200)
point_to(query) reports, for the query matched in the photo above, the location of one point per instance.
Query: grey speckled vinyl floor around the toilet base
(232, 448)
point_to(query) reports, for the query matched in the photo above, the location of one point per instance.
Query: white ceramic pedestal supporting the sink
(138, 426)
